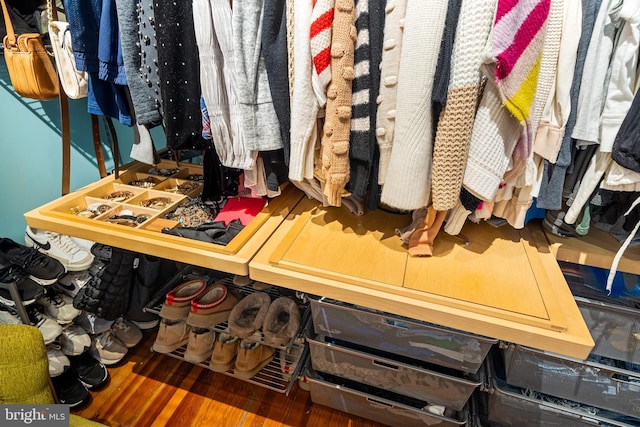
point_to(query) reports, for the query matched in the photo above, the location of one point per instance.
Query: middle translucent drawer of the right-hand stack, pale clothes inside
(586, 382)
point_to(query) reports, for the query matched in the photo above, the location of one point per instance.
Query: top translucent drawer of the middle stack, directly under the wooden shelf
(399, 335)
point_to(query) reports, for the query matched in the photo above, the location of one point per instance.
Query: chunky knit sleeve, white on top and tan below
(456, 120)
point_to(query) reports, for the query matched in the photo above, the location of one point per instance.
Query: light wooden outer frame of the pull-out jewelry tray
(232, 258)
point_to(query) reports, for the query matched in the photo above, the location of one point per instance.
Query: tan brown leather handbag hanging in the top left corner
(29, 64)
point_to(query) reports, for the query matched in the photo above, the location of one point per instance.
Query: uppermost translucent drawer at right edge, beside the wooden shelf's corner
(615, 329)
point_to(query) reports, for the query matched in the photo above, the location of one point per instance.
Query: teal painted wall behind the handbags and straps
(31, 153)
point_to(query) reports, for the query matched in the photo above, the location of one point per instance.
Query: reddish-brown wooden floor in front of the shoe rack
(151, 389)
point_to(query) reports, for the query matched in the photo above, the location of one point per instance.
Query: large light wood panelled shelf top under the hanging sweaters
(505, 284)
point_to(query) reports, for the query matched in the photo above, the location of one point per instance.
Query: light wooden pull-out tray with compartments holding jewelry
(130, 212)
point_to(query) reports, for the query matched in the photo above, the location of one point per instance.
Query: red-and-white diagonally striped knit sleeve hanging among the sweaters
(320, 33)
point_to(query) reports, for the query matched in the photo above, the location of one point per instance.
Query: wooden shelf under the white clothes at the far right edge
(596, 249)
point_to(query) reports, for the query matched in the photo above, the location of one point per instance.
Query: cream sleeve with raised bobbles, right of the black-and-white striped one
(386, 100)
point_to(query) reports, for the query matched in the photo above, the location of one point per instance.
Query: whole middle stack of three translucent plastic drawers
(392, 369)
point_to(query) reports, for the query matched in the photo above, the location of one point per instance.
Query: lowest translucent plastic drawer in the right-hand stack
(513, 406)
